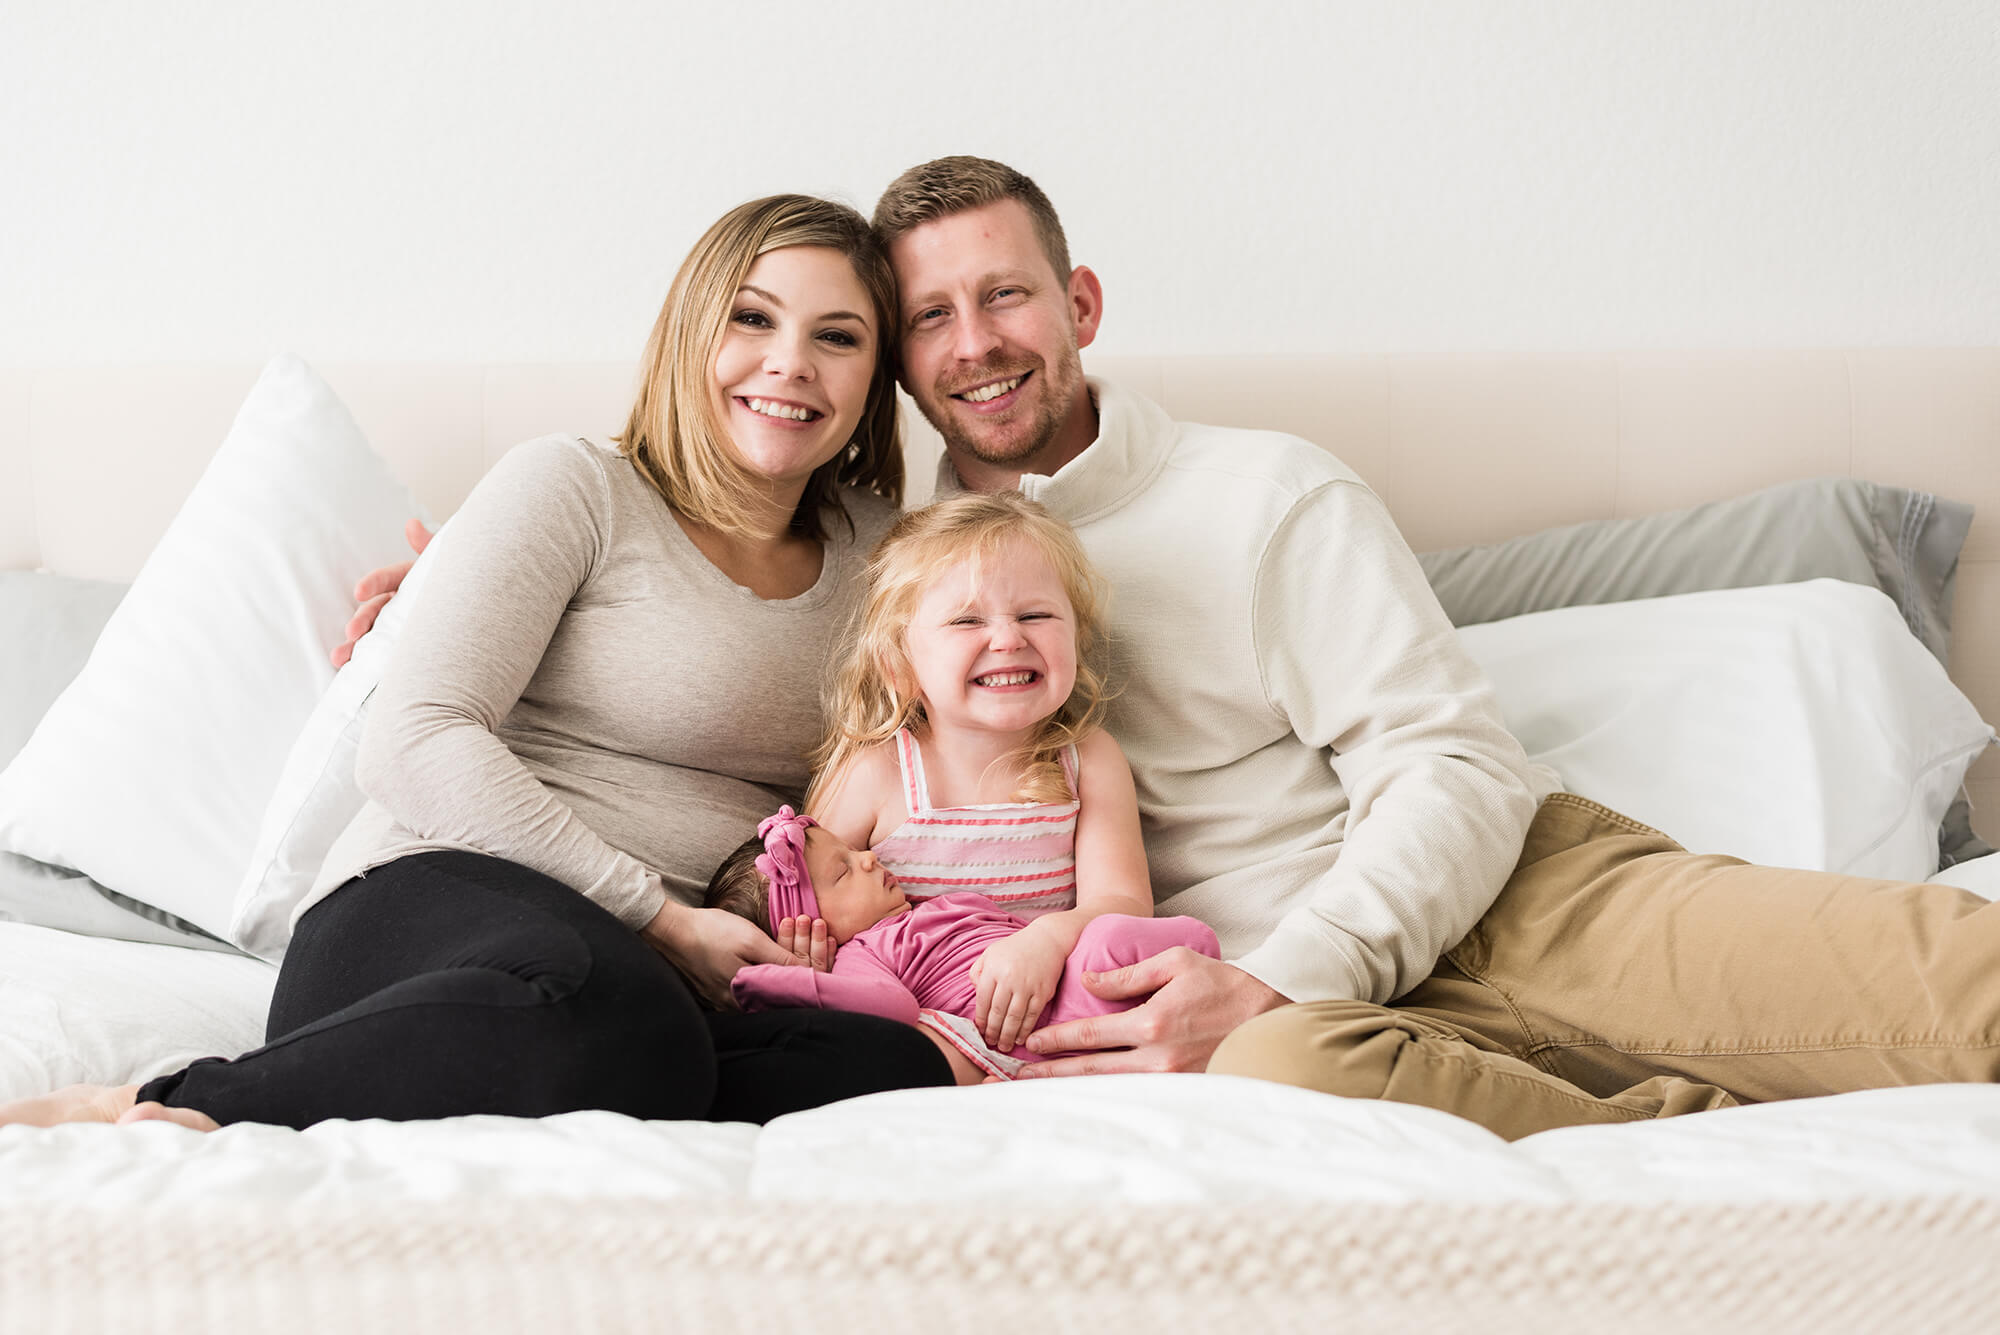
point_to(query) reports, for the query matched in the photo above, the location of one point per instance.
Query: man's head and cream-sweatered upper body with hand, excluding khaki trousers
(1241, 567)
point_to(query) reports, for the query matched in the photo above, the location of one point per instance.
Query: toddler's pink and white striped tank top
(1019, 854)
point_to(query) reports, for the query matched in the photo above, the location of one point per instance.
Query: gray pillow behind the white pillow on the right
(1897, 541)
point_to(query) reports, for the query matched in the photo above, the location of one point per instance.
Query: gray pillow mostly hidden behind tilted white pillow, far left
(49, 627)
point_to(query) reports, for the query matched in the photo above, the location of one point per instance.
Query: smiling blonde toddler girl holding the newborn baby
(967, 752)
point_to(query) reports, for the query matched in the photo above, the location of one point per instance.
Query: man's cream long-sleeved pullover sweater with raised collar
(1323, 772)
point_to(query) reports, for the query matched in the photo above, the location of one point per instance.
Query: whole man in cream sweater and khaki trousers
(1327, 782)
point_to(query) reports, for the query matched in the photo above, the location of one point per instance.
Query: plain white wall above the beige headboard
(509, 181)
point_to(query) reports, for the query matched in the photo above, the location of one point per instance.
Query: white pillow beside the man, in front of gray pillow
(1793, 726)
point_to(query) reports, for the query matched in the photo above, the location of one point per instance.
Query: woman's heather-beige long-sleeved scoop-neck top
(583, 692)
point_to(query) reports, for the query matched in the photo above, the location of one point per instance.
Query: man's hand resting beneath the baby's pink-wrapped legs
(1195, 1004)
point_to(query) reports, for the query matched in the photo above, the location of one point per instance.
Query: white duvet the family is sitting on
(91, 1010)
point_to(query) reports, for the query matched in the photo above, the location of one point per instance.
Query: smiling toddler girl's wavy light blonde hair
(875, 690)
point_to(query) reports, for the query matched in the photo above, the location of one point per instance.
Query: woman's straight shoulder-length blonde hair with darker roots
(673, 437)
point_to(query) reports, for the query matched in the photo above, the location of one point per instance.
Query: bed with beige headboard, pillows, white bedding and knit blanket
(1779, 633)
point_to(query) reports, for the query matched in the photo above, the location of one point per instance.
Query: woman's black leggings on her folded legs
(451, 984)
